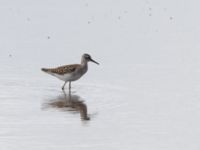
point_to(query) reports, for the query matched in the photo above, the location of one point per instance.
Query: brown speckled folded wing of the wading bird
(62, 69)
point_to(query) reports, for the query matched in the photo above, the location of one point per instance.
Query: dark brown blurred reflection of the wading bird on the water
(69, 102)
